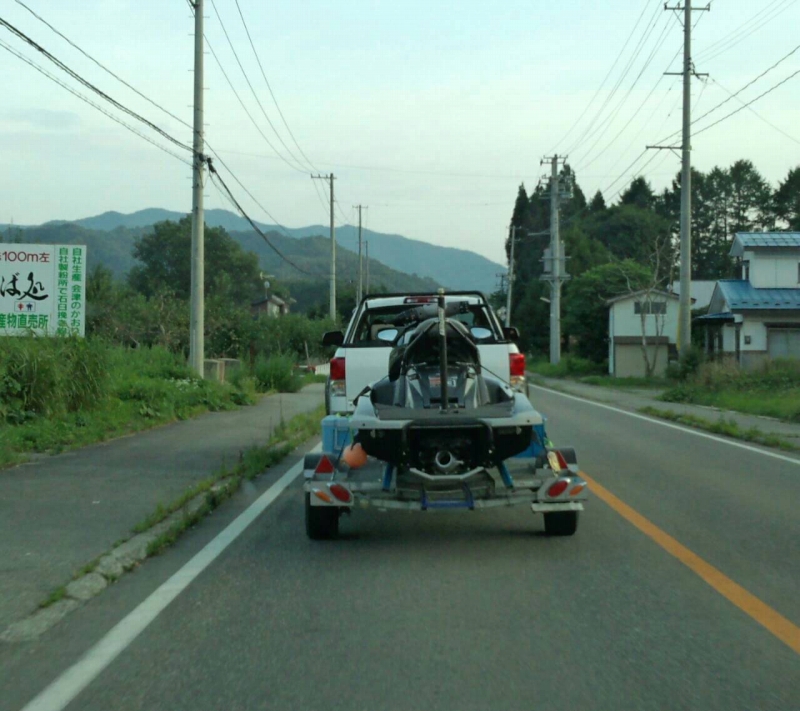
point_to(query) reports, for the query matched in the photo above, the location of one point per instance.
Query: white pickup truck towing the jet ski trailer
(362, 357)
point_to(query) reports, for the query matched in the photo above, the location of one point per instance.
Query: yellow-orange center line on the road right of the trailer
(777, 624)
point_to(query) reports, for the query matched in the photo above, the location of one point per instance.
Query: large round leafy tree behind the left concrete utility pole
(165, 256)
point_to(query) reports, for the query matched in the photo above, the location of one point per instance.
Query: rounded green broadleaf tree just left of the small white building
(585, 309)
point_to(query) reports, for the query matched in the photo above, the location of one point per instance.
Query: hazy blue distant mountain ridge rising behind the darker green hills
(452, 267)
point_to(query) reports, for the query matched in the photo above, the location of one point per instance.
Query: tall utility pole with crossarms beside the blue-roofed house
(685, 296)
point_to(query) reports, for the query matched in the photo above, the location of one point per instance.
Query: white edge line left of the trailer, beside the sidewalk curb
(74, 680)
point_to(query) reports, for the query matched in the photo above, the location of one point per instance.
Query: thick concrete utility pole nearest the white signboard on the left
(197, 309)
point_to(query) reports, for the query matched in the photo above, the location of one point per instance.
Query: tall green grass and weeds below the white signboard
(137, 390)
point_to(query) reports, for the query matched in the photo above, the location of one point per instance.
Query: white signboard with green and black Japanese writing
(42, 289)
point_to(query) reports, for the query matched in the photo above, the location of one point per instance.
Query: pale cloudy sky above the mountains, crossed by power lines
(429, 113)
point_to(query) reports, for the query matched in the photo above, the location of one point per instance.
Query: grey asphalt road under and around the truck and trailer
(477, 611)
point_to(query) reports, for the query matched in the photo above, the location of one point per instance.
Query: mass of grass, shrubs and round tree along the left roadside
(130, 372)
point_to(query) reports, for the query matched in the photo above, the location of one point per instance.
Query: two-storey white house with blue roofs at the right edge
(757, 317)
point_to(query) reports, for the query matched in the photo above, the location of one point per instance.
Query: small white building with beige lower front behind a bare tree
(652, 313)
